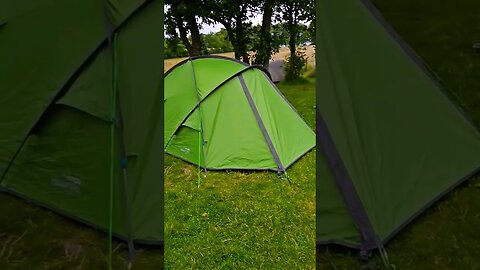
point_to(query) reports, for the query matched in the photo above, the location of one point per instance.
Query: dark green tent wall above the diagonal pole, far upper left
(31, 78)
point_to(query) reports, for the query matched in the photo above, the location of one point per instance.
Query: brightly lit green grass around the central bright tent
(243, 220)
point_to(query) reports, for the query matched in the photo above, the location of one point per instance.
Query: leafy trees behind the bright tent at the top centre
(284, 22)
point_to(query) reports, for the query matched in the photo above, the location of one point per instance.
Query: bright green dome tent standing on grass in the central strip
(221, 113)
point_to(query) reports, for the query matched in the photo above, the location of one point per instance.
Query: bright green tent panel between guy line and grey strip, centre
(233, 138)
